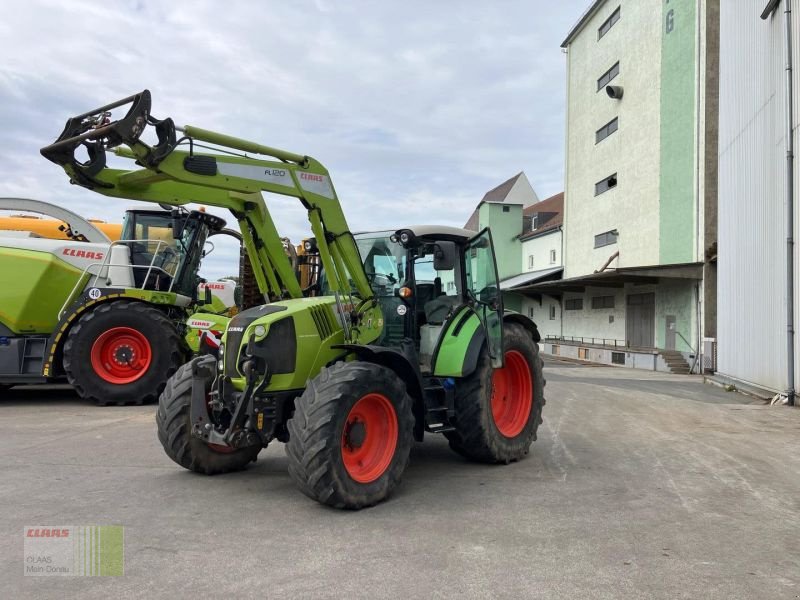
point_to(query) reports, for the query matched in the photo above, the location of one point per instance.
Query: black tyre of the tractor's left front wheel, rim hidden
(174, 429)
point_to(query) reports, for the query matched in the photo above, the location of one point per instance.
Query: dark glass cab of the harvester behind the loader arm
(166, 247)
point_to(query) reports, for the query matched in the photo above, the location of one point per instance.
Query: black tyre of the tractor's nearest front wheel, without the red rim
(317, 430)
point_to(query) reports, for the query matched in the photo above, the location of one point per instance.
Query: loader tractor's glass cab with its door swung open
(427, 277)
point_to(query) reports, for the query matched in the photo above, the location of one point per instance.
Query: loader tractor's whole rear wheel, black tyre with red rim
(499, 410)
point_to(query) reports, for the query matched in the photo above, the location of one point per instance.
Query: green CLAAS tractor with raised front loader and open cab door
(404, 333)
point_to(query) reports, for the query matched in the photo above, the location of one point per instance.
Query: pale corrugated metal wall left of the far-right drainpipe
(752, 240)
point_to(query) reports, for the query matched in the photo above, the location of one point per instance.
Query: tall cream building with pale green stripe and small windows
(640, 181)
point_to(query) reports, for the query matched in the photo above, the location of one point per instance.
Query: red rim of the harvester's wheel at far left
(121, 355)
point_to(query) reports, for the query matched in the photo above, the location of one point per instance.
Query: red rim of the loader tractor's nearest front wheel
(369, 438)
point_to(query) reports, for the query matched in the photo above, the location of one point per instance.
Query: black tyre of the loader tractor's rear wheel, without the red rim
(477, 436)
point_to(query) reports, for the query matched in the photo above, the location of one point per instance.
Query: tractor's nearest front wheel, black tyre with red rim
(351, 435)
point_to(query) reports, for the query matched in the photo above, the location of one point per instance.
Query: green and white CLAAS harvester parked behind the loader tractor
(109, 317)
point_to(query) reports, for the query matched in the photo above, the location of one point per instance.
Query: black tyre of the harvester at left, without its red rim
(168, 351)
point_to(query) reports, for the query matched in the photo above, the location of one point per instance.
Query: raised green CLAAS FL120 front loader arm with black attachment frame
(175, 172)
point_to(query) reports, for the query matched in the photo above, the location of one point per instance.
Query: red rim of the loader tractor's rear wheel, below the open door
(512, 395)
